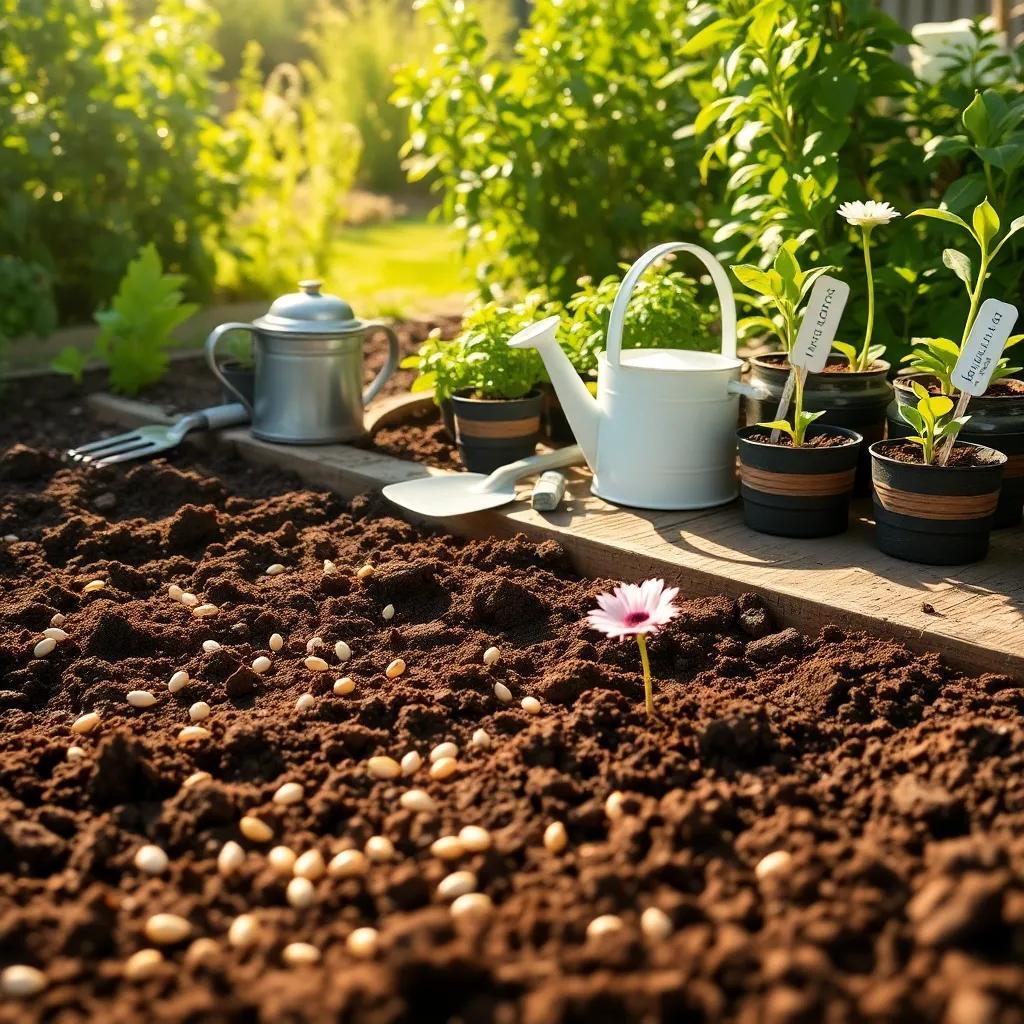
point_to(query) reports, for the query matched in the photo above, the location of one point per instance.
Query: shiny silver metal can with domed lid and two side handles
(308, 351)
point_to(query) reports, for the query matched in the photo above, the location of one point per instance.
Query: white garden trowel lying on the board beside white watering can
(460, 494)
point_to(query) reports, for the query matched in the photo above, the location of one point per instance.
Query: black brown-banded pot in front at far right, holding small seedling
(937, 516)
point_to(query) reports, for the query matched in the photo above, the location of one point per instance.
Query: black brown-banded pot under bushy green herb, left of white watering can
(492, 434)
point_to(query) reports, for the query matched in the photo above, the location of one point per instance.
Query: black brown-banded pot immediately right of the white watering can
(798, 492)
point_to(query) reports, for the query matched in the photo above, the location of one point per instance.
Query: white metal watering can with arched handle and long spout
(662, 434)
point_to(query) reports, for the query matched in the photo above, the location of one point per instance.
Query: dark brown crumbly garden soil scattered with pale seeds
(895, 784)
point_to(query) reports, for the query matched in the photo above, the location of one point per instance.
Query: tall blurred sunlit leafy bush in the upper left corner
(108, 140)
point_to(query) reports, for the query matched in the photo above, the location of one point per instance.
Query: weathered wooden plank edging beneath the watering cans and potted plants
(978, 617)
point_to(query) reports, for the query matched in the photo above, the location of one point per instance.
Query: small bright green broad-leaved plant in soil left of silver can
(136, 332)
